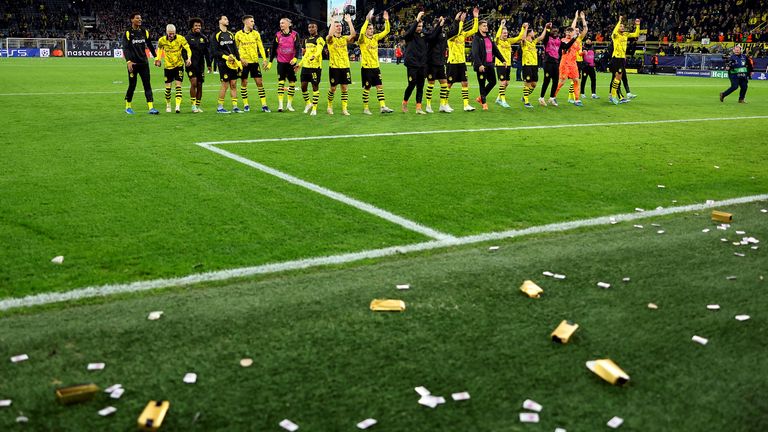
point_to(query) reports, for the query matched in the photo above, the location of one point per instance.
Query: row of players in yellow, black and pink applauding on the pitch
(238, 57)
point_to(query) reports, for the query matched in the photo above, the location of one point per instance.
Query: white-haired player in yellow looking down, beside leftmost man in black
(170, 47)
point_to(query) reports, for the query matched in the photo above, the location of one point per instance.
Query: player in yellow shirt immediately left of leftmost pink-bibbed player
(250, 46)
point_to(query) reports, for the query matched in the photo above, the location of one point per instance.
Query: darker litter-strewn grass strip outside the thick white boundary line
(325, 361)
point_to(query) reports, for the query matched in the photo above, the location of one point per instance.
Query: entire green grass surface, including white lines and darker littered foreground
(267, 235)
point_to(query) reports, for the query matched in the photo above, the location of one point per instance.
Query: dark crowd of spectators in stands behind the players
(671, 22)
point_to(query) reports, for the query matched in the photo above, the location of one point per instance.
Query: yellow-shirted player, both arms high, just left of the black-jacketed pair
(370, 71)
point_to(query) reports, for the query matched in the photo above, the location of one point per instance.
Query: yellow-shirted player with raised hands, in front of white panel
(338, 58)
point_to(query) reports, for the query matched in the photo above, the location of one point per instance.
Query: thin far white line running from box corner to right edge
(495, 129)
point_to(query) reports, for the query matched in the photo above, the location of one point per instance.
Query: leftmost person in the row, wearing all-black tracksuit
(136, 41)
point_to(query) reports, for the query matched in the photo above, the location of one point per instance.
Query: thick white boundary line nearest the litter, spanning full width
(221, 275)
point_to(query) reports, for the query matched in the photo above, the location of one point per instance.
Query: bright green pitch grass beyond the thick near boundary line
(127, 198)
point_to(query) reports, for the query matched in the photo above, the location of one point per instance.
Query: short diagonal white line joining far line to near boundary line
(368, 208)
